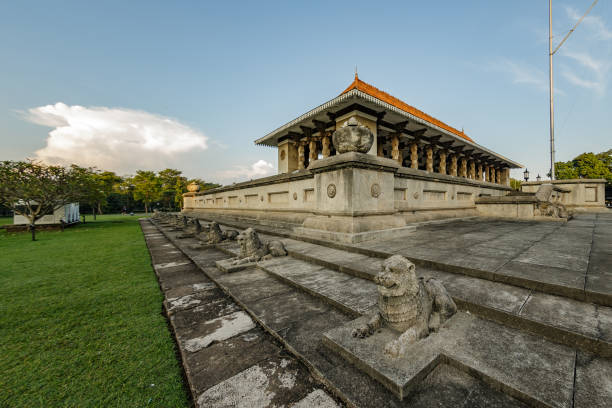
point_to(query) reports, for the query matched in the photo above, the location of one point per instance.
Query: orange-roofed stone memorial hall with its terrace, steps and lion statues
(389, 264)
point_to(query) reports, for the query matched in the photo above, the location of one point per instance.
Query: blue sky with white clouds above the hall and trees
(151, 84)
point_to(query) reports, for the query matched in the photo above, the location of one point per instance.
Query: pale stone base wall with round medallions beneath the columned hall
(349, 185)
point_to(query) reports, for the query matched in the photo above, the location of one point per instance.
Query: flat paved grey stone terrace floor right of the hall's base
(572, 259)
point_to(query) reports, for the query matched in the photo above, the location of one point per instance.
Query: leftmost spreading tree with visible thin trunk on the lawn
(33, 190)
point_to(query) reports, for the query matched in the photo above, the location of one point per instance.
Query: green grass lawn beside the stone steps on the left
(81, 322)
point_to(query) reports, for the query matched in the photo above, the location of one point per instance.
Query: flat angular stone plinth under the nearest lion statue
(506, 359)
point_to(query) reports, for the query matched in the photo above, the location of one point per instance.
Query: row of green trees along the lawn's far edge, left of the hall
(33, 189)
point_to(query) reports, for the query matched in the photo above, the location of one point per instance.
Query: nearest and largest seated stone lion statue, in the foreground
(413, 306)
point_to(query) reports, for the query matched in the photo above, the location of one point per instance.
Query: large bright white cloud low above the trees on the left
(116, 139)
